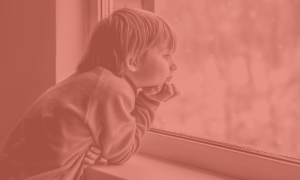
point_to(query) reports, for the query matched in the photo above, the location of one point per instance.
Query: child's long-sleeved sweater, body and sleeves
(51, 139)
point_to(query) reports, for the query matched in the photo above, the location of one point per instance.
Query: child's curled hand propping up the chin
(164, 94)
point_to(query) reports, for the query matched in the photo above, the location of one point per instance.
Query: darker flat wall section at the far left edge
(27, 56)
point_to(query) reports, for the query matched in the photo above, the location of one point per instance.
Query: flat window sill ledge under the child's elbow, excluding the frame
(146, 167)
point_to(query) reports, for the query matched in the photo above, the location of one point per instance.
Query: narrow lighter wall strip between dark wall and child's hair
(71, 33)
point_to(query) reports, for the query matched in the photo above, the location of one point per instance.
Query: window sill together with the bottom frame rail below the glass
(164, 156)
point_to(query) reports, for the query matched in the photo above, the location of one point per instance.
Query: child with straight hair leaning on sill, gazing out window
(98, 104)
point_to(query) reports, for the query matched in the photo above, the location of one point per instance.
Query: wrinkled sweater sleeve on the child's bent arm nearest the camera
(118, 124)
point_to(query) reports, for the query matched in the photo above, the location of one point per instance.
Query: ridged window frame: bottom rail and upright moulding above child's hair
(237, 161)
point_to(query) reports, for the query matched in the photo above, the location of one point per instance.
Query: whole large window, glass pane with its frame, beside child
(238, 72)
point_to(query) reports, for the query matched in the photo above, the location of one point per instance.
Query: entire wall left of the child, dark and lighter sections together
(41, 43)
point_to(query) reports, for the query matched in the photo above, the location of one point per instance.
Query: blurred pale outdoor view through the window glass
(238, 72)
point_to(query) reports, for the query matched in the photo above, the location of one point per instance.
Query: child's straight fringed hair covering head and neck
(127, 32)
